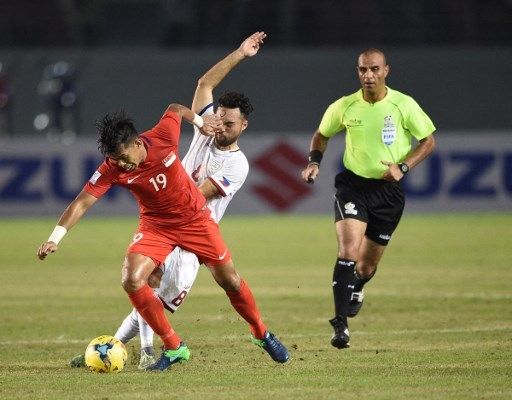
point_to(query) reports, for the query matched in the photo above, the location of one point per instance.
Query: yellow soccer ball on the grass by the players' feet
(105, 354)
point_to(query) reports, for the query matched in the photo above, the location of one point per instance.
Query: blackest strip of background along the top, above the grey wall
(171, 23)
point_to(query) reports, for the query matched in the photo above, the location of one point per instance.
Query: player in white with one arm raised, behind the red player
(219, 168)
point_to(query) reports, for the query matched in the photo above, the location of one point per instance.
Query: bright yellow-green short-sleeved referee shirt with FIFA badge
(376, 131)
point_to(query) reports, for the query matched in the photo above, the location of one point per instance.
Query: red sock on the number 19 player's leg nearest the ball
(152, 310)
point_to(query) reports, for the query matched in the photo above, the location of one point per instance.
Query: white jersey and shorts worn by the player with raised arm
(227, 170)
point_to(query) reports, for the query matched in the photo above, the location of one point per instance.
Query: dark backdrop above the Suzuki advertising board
(454, 57)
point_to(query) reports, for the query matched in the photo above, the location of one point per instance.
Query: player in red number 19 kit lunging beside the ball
(173, 213)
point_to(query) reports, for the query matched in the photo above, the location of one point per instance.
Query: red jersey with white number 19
(165, 193)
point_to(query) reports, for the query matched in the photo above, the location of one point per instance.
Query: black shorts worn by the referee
(377, 202)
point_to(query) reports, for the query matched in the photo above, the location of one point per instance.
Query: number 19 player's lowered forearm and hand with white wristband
(69, 218)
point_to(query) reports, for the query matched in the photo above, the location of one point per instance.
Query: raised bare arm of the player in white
(209, 81)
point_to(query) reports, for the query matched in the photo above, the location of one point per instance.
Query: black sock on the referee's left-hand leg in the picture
(342, 286)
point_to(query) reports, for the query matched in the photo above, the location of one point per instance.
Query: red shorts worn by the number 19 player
(202, 237)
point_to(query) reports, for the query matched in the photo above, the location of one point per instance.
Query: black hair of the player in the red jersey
(115, 129)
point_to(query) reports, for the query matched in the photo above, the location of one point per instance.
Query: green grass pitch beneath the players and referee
(436, 324)
